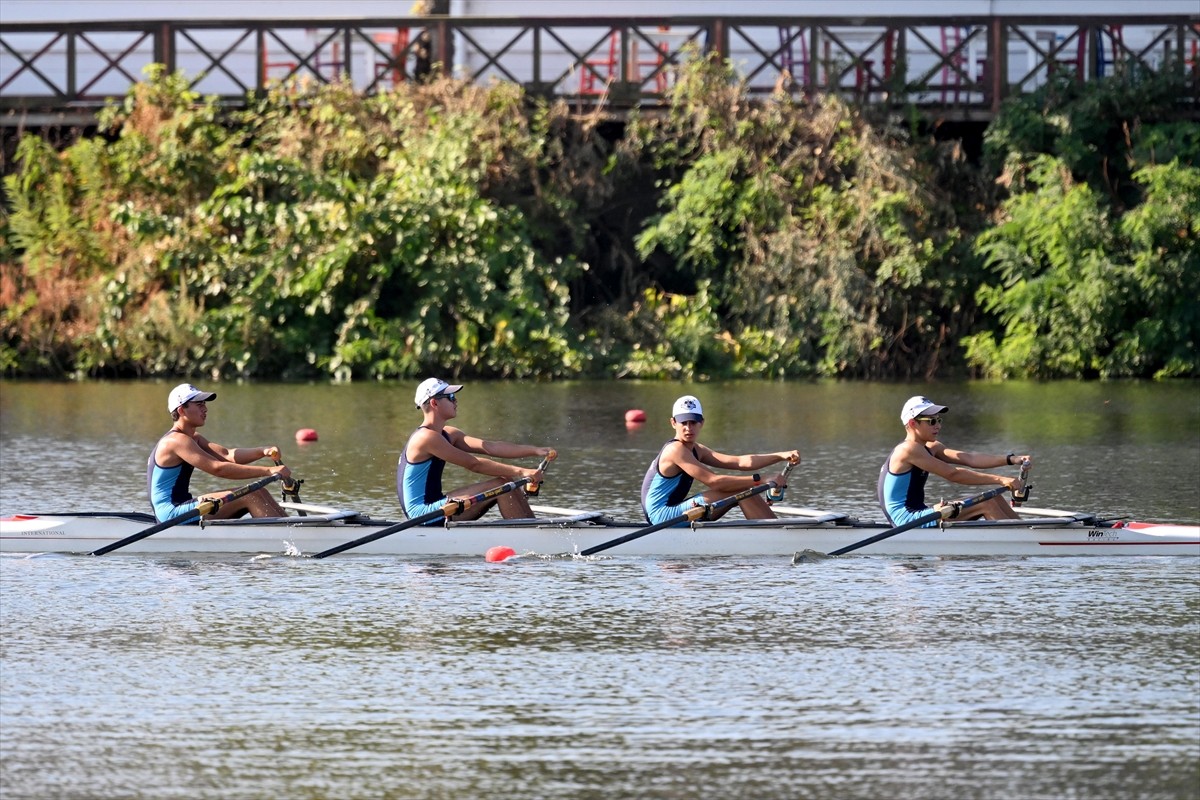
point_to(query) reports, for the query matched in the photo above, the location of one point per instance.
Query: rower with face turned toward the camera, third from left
(667, 489)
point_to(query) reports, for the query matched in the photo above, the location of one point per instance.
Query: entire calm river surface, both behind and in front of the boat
(374, 677)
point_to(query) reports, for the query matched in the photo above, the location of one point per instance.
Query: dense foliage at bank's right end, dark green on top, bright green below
(1097, 250)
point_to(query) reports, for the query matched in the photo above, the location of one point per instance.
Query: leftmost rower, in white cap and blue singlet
(183, 450)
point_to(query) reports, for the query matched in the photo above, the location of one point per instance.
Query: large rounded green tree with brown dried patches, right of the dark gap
(827, 245)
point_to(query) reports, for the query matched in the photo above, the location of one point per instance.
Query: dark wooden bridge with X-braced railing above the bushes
(961, 69)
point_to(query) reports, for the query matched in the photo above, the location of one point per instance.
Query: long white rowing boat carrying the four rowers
(310, 530)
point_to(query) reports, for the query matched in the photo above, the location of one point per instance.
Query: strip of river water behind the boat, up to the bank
(1120, 449)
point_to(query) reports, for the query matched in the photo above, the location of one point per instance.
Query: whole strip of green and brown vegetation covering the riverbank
(471, 231)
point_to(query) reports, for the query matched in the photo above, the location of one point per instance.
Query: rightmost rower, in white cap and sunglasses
(902, 486)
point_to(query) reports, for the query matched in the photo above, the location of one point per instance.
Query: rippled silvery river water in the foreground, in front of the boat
(710, 678)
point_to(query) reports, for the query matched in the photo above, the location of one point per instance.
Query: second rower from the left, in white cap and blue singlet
(435, 444)
